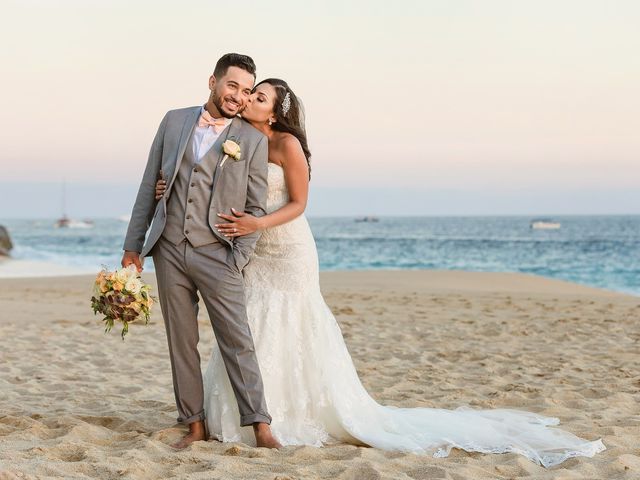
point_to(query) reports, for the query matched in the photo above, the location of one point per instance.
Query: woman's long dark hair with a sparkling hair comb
(293, 121)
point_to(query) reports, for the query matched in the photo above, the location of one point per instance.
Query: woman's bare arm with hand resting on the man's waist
(296, 175)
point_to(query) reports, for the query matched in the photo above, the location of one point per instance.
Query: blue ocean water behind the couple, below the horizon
(601, 251)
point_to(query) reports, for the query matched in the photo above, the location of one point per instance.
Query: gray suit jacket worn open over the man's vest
(243, 186)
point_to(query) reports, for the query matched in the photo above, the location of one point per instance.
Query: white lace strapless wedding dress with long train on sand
(311, 386)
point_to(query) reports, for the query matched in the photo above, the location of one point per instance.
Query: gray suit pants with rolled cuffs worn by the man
(182, 271)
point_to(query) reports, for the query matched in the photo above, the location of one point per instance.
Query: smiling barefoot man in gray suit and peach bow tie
(191, 256)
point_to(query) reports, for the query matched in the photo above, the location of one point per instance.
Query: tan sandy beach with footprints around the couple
(76, 403)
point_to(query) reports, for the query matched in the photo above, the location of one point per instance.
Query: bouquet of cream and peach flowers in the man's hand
(121, 295)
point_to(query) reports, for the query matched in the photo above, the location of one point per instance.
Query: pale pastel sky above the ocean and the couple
(487, 95)
